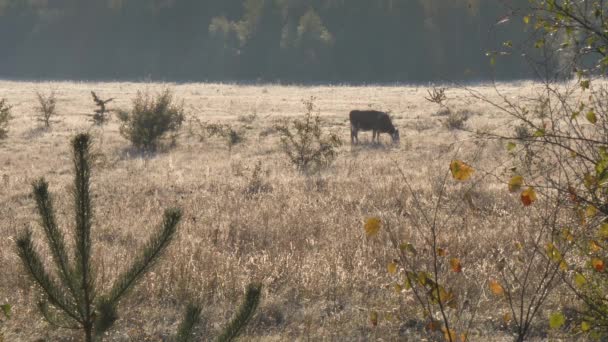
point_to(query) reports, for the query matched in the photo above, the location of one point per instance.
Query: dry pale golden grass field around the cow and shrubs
(302, 237)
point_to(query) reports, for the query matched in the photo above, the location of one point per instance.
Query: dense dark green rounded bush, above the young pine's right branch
(152, 120)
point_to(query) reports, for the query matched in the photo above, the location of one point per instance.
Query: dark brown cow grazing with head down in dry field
(371, 120)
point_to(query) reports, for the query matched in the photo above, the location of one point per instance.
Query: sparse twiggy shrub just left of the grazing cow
(304, 142)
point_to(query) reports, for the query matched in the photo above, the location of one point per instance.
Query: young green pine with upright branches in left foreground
(71, 299)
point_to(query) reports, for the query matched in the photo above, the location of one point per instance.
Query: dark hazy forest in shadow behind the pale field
(284, 41)
